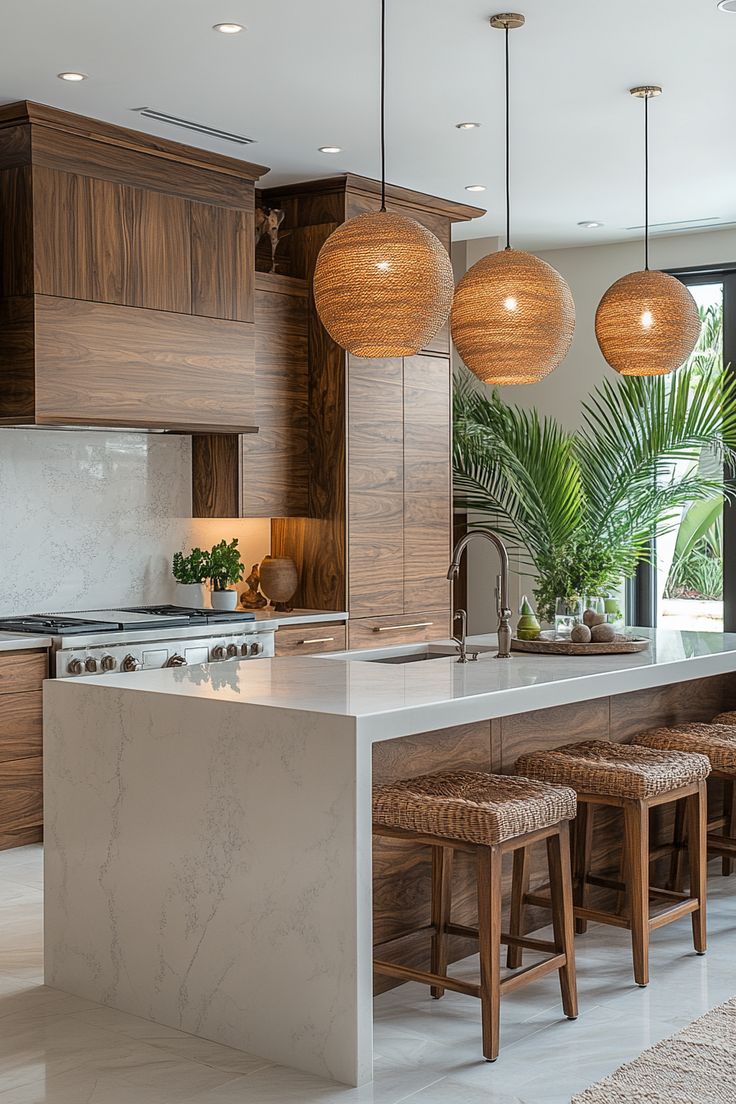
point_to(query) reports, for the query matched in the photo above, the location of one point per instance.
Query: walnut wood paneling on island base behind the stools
(402, 874)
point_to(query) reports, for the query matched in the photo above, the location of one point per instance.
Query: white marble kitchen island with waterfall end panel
(209, 854)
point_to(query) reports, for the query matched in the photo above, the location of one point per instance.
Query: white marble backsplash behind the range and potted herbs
(92, 519)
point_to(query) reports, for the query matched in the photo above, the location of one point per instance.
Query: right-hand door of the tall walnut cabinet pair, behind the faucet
(428, 483)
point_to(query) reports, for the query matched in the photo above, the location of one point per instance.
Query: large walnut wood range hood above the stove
(126, 279)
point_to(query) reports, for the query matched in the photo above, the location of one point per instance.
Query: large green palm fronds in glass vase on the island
(583, 508)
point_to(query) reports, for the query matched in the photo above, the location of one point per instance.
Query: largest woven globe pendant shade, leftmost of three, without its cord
(383, 285)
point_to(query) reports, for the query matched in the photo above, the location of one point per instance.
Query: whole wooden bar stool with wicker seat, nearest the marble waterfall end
(487, 815)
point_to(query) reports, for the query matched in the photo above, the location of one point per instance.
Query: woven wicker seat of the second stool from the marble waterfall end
(628, 771)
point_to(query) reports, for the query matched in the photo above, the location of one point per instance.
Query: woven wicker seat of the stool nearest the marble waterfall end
(472, 806)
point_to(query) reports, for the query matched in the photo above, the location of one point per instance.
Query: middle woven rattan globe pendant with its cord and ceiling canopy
(514, 314)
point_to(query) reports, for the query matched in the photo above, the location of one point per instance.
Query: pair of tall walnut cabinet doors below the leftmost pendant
(399, 485)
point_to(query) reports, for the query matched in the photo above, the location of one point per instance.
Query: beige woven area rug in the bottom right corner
(696, 1067)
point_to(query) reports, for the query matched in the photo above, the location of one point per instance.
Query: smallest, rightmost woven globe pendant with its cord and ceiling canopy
(647, 323)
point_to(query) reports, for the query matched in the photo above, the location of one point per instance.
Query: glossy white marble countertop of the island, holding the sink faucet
(391, 702)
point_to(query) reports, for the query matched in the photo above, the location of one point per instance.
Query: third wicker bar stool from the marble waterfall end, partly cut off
(718, 741)
